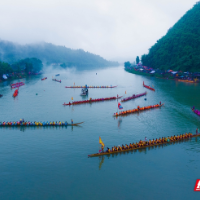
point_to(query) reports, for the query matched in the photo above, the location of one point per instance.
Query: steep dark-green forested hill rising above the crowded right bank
(179, 49)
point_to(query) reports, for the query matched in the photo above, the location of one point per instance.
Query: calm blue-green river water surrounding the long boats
(52, 162)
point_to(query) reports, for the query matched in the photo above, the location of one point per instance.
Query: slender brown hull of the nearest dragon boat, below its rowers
(143, 147)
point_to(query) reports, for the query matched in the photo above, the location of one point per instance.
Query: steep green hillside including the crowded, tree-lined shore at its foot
(176, 55)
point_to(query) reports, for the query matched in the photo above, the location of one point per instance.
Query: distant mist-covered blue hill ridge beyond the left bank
(52, 54)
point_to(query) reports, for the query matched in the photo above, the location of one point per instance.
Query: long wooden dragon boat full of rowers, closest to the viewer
(145, 144)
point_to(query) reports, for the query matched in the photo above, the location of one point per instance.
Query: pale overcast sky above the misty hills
(114, 29)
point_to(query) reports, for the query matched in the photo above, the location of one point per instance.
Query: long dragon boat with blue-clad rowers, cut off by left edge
(19, 123)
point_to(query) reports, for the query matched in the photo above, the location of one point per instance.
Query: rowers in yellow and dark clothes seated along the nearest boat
(149, 143)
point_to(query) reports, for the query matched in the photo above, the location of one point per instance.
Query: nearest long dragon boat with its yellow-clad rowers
(146, 144)
